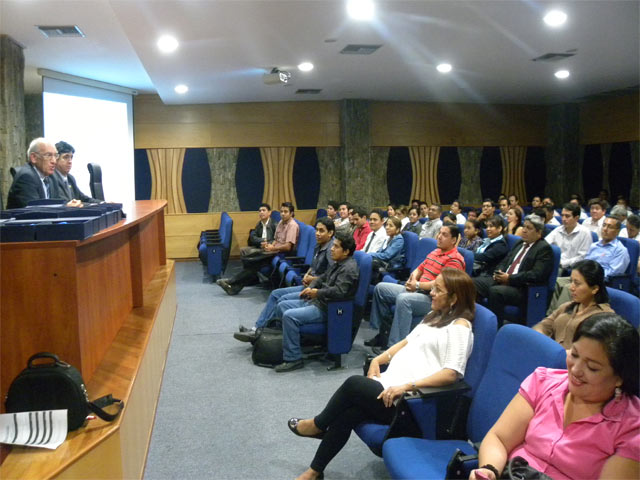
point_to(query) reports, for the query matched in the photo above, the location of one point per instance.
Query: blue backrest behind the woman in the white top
(485, 327)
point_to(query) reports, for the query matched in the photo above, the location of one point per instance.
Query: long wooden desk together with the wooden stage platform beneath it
(105, 305)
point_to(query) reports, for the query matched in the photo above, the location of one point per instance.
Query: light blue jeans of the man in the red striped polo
(408, 305)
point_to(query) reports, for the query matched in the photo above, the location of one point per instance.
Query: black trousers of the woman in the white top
(354, 402)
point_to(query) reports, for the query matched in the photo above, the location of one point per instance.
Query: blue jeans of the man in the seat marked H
(295, 313)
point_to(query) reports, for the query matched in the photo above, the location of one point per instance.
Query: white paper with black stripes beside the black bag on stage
(44, 429)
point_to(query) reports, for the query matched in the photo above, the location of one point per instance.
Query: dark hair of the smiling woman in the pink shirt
(620, 342)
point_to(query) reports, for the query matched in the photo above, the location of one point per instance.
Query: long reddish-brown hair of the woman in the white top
(459, 283)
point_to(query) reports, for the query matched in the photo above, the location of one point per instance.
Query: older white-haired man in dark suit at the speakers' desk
(33, 180)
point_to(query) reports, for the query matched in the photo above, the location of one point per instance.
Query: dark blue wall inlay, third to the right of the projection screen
(250, 179)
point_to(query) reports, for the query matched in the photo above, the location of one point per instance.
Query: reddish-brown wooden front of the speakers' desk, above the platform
(72, 297)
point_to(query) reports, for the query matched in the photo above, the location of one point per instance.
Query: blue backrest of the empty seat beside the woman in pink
(516, 353)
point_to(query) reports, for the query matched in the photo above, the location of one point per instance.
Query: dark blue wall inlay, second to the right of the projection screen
(196, 180)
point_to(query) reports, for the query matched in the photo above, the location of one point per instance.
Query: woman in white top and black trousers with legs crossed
(434, 354)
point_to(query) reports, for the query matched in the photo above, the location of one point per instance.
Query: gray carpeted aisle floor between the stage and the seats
(221, 417)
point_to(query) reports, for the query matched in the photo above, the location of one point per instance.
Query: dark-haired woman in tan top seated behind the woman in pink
(588, 297)
